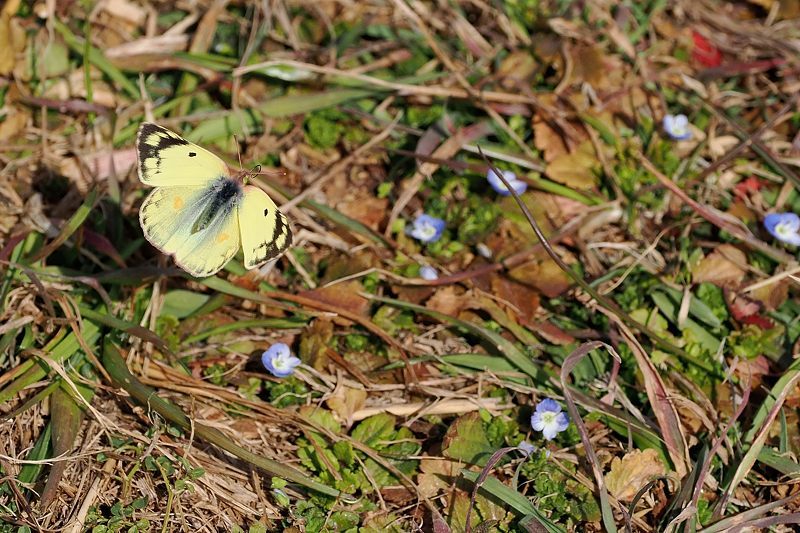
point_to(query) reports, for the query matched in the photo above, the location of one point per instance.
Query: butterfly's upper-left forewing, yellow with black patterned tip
(168, 160)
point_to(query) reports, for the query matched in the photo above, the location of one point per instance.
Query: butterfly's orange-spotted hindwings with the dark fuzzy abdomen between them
(195, 225)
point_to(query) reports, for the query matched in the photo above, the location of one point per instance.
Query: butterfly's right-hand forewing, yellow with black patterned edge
(265, 230)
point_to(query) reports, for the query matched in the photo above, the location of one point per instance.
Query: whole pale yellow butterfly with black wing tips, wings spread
(198, 212)
